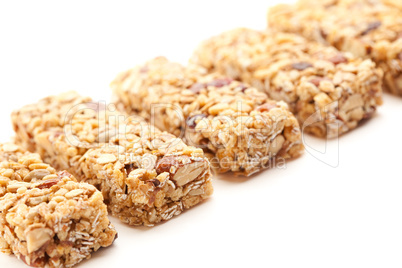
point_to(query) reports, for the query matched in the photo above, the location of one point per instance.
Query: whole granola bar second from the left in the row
(146, 176)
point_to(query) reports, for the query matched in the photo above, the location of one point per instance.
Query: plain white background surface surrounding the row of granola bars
(307, 215)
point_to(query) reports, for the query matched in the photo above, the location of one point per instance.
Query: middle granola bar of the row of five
(238, 126)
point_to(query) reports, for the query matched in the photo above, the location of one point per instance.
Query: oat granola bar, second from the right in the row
(328, 91)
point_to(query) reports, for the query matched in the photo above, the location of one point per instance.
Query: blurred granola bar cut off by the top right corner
(371, 29)
